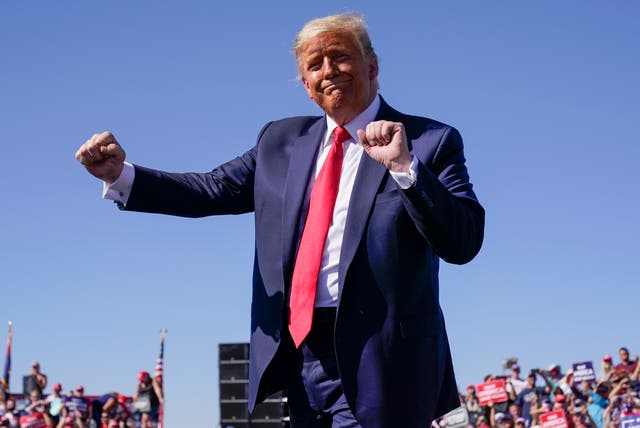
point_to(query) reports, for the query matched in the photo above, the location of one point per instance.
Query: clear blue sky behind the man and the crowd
(546, 95)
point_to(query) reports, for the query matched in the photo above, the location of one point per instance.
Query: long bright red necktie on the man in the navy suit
(305, 272)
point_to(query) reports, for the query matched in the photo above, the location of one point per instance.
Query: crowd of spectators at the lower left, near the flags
(74, 409)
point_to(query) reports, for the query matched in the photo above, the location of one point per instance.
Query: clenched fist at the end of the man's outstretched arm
(102, 156)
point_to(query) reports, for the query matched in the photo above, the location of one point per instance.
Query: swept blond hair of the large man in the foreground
(341, 23)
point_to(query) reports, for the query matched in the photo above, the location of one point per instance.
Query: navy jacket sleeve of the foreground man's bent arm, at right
(442, 203)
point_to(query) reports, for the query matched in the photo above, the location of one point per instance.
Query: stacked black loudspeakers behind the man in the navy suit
(233, 361)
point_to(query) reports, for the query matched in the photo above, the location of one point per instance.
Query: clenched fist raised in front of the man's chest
(386, 142)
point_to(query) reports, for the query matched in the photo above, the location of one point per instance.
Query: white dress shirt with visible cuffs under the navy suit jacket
(327, 290)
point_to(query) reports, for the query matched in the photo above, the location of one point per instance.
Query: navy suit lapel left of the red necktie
(301, 165)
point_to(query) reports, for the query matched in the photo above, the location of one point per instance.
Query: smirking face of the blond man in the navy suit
(337, 75)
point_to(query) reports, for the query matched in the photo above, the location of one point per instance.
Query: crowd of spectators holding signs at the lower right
(599, 403)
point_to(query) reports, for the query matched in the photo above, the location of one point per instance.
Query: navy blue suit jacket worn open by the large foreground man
(391, 345)
